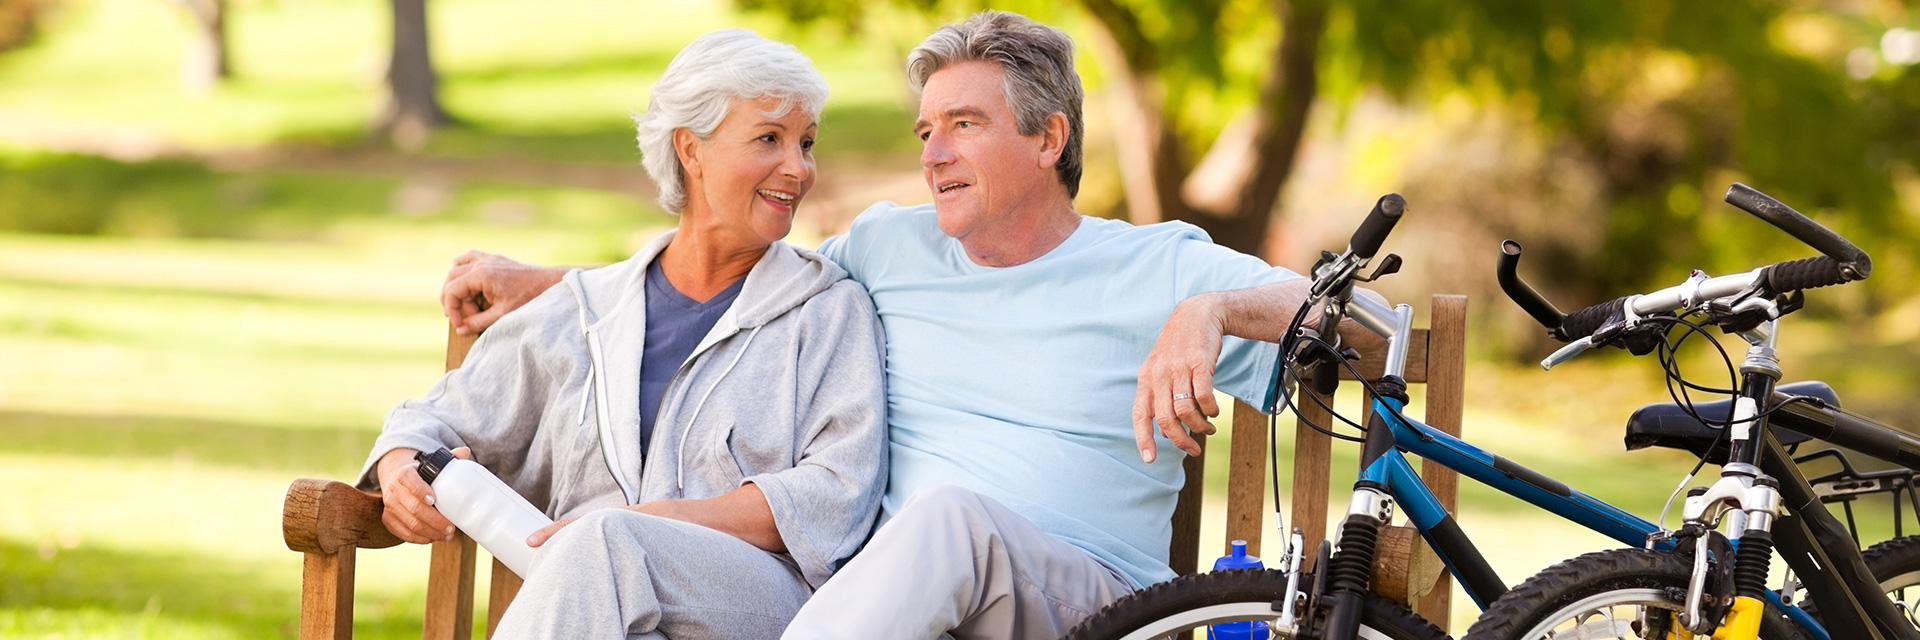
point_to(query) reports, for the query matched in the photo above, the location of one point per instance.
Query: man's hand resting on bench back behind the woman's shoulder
(483, 287)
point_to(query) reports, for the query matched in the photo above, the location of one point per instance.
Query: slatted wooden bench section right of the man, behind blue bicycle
(1406, 570)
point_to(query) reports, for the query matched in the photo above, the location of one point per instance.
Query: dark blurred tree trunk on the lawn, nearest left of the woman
(414, 89)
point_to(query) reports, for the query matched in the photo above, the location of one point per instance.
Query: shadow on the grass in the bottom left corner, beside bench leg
(112, 593)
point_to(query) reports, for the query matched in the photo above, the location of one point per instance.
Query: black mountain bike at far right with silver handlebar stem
(1698, 579)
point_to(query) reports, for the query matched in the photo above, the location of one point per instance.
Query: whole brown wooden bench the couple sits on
(329, 522)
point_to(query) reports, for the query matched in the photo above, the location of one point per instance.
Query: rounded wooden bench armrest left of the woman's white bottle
(327, 516)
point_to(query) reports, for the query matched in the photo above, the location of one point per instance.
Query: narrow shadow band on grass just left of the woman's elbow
(329, 453)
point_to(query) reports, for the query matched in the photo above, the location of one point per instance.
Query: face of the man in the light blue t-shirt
(976, 162)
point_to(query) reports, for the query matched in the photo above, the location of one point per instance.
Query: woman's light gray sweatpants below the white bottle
(617, 574)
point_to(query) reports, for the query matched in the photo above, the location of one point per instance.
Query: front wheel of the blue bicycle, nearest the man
(1226, 597)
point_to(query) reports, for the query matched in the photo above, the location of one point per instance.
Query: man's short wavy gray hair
(1038, 66)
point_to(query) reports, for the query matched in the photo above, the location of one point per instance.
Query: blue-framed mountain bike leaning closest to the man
(1333, 601)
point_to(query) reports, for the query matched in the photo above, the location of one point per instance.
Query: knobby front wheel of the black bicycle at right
(1600, 595)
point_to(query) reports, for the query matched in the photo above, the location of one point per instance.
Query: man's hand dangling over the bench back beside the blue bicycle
(1176, 393)
